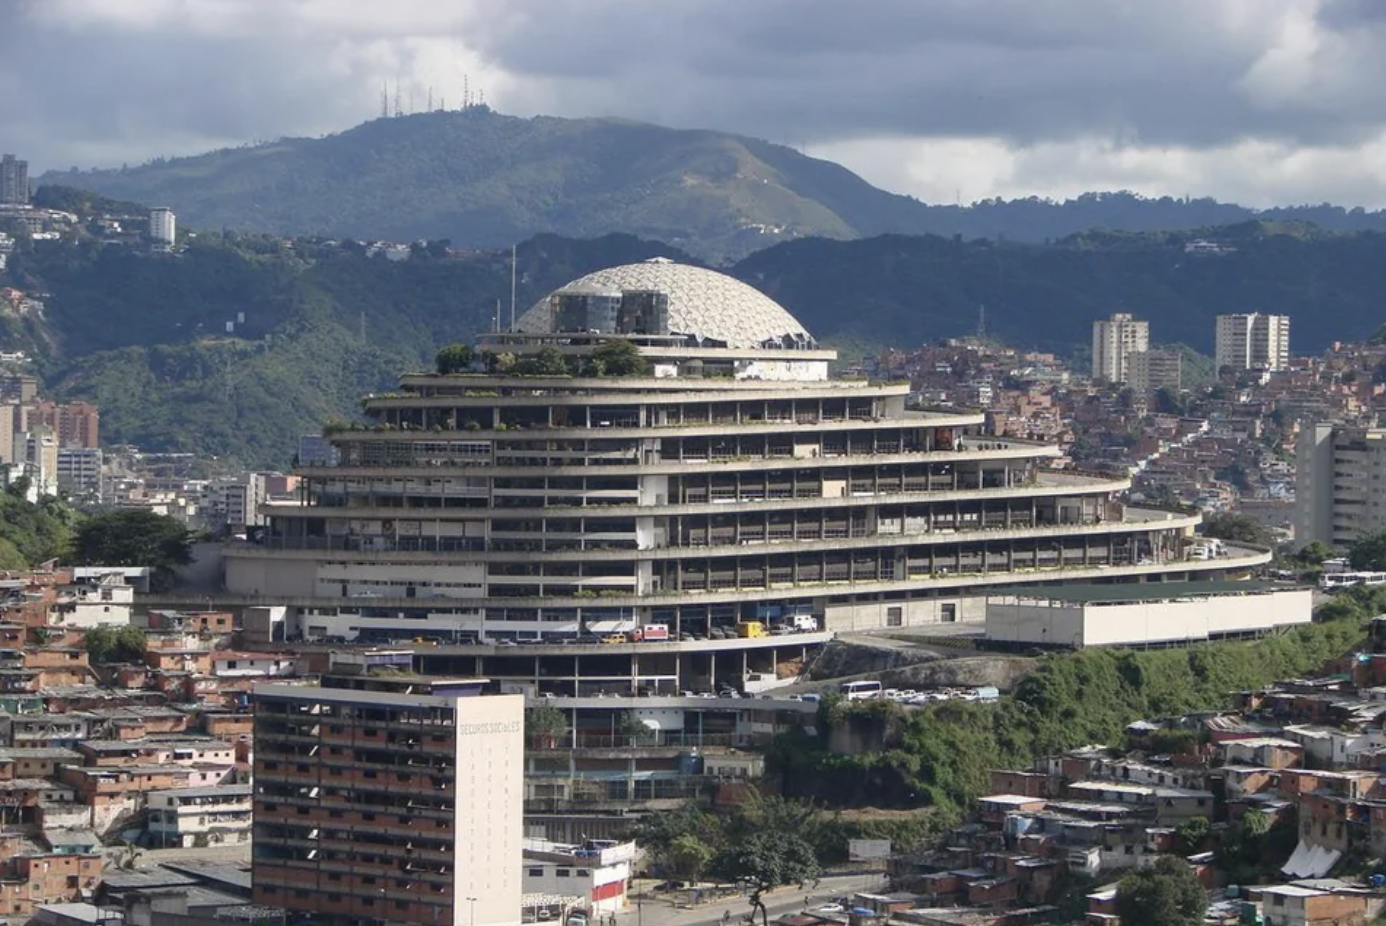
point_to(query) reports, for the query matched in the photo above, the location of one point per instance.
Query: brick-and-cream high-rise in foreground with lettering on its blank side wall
(389, 801)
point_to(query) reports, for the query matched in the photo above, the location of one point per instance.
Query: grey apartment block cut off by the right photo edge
(1340, 484)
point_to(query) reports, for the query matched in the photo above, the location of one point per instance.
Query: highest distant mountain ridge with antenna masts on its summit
(486, 180)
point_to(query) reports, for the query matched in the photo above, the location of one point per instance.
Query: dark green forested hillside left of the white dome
(145, 338)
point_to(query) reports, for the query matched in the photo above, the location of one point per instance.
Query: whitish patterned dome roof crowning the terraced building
(703, 304)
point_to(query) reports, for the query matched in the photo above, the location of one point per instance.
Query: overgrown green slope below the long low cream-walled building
(940, 756)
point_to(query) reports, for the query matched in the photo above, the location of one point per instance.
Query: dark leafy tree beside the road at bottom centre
(769, 845)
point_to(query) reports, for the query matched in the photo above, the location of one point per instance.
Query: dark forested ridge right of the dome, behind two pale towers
(913, 290)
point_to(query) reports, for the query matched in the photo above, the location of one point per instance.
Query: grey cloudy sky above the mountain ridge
(1258, 102)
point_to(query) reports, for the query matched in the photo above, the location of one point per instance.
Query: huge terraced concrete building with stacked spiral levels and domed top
(733, 482)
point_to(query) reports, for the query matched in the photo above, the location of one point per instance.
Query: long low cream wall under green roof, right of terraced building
(1146, 622)
